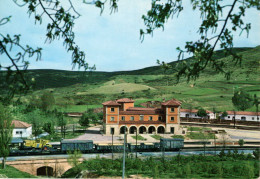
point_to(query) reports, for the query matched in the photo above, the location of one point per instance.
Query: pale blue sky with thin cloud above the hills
(112, 41)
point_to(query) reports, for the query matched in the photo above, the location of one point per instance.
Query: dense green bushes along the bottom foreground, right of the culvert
(195, 166)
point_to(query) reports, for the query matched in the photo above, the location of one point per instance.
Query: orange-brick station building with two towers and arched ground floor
(121, 115)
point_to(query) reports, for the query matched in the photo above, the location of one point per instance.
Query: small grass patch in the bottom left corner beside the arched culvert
(12, 172)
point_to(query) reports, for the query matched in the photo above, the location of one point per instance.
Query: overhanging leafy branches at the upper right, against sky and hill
(212, 31)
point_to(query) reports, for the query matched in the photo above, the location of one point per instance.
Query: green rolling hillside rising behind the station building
(78, 89)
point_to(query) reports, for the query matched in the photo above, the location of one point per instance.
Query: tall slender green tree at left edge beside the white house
(6, 132)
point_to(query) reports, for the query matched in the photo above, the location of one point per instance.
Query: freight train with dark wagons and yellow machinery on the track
(40, 147)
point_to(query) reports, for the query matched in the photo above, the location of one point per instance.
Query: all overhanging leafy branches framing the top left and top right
(215, 31)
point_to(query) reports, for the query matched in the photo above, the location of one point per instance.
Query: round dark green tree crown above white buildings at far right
(242, 100)
